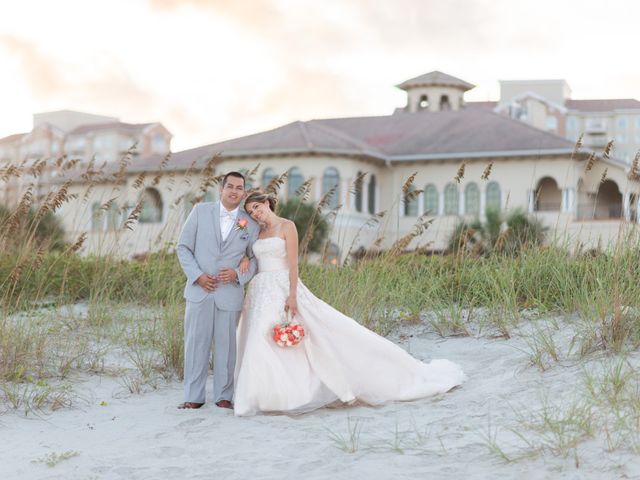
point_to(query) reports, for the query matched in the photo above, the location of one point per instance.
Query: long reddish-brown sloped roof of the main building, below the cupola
(392, 137)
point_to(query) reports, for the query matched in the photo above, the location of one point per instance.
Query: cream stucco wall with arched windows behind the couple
(517, 178)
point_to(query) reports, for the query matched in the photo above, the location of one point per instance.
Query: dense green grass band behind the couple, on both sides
(545, 278)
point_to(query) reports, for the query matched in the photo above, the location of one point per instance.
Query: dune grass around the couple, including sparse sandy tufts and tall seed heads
(63, 314)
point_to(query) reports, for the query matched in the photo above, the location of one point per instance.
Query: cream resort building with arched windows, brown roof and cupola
(464, 158)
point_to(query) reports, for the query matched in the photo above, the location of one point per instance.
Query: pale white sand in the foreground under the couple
(109, 435)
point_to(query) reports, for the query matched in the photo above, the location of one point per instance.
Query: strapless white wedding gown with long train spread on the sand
(339, 360)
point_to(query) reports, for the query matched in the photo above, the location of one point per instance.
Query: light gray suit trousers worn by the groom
(203, 323)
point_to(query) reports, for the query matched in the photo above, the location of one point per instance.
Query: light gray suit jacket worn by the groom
(201, 250)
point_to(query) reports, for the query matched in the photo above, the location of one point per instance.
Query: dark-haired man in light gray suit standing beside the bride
(213, 240)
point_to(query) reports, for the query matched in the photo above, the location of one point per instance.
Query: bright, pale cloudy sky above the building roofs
(211, 70)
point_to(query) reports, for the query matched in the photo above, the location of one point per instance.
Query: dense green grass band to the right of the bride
(544, 278)
